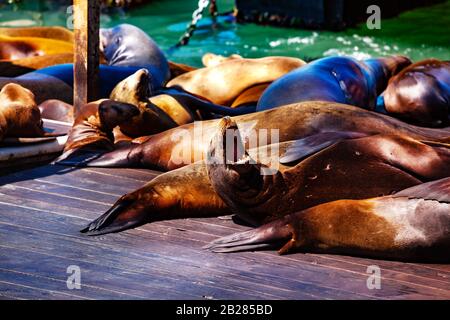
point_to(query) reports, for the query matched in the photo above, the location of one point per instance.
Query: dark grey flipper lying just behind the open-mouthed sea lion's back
(310, 145)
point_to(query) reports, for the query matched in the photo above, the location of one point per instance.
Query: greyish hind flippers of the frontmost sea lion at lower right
(266, 236)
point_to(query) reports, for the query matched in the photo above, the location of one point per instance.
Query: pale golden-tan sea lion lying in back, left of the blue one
(222, 83)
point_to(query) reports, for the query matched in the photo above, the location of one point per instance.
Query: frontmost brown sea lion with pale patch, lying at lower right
(411, 225)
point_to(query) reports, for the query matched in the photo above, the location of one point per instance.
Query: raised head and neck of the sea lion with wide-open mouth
(237, 178)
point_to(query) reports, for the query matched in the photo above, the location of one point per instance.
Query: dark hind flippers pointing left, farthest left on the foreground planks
(124, 214)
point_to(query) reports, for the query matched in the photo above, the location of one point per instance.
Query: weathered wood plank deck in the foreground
(42, 209)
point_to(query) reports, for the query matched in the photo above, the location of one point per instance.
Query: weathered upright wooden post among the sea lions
(86, 22)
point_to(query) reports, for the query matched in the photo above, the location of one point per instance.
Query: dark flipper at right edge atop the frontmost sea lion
(438, 190)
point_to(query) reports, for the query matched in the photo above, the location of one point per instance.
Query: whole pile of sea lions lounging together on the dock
(362, 162)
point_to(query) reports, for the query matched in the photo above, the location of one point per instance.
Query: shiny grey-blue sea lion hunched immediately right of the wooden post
(127, 45)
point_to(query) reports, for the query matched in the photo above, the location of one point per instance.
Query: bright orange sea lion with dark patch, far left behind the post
(12, 48)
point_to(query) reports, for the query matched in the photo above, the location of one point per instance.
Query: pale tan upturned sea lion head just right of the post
(133, 89)
